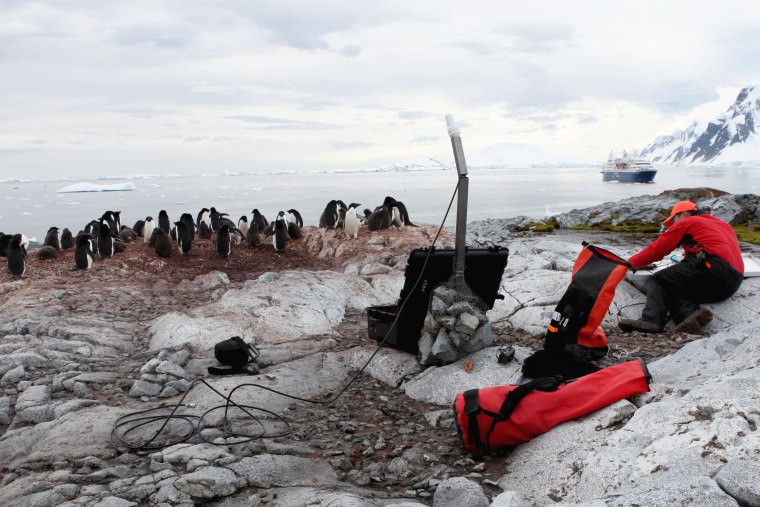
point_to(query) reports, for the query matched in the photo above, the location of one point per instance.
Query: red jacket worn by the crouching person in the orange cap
(715, 235)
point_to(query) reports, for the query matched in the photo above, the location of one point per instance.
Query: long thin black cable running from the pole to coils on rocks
(130, 423)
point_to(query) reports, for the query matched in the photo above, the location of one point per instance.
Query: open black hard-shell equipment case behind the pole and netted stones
(484, 268)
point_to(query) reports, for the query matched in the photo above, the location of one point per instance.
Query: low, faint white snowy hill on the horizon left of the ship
(520, 155)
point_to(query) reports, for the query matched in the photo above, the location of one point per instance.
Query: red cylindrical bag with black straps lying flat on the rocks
(503, 416)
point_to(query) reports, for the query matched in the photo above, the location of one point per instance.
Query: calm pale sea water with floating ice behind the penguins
(31, 207)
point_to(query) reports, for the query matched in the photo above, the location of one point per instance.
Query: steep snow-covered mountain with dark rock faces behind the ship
(730, 138)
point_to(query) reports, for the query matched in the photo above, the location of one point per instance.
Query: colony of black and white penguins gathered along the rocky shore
(106, 237)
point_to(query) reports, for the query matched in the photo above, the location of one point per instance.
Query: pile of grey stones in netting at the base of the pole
(454, 326)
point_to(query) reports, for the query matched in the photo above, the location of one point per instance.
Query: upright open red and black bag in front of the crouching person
(575, 322)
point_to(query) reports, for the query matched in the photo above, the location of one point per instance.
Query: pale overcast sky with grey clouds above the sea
(199, 86)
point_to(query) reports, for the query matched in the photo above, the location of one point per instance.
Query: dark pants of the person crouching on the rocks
(679, 289)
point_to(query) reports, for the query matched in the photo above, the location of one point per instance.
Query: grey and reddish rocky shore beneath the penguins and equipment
(82, 349)
